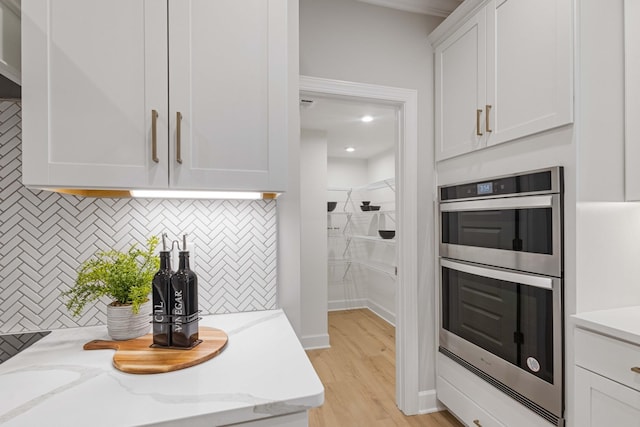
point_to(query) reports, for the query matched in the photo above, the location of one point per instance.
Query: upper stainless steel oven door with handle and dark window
(520, 233)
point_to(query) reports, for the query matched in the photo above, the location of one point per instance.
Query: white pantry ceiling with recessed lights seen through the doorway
(341, 120)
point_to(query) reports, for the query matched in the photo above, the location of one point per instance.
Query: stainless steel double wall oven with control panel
(501, 270)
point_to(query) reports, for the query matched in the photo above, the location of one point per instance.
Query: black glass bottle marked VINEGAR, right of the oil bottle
(184, 303)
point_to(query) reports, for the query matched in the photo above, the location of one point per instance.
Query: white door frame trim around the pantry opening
(407, 339)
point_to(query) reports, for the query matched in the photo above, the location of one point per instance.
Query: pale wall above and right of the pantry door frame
(354, 41)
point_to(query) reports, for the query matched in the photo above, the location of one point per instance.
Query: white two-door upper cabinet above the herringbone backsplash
(104, 83)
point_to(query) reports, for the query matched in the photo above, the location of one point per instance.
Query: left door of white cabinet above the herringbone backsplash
(93, 72)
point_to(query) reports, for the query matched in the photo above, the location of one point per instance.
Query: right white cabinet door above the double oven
(529, 67)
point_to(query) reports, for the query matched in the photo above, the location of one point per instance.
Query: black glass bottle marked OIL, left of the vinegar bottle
(161, 287)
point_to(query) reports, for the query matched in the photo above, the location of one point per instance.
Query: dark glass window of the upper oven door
(526, 230)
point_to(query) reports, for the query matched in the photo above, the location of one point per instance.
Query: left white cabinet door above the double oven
(460, 89)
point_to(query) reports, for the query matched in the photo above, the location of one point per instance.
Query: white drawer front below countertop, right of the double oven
(608, 357)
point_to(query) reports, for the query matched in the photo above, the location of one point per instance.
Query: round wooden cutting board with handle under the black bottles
(136, 356)
